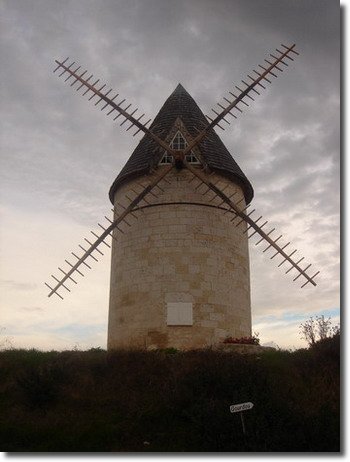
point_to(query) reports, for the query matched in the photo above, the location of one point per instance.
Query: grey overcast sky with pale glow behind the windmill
(59, 154)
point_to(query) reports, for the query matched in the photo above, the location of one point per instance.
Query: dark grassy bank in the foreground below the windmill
(170, 401)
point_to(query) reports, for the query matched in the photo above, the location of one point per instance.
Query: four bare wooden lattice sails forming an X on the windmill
(202, 132)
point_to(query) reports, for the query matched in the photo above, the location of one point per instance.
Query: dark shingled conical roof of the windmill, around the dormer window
(214, 154)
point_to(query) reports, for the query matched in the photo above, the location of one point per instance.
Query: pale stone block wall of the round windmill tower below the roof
(178, 253)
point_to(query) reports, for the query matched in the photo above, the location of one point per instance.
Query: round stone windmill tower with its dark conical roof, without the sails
(191, 265)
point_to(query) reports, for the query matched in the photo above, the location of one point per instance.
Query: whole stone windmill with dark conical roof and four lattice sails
(181, 221)
